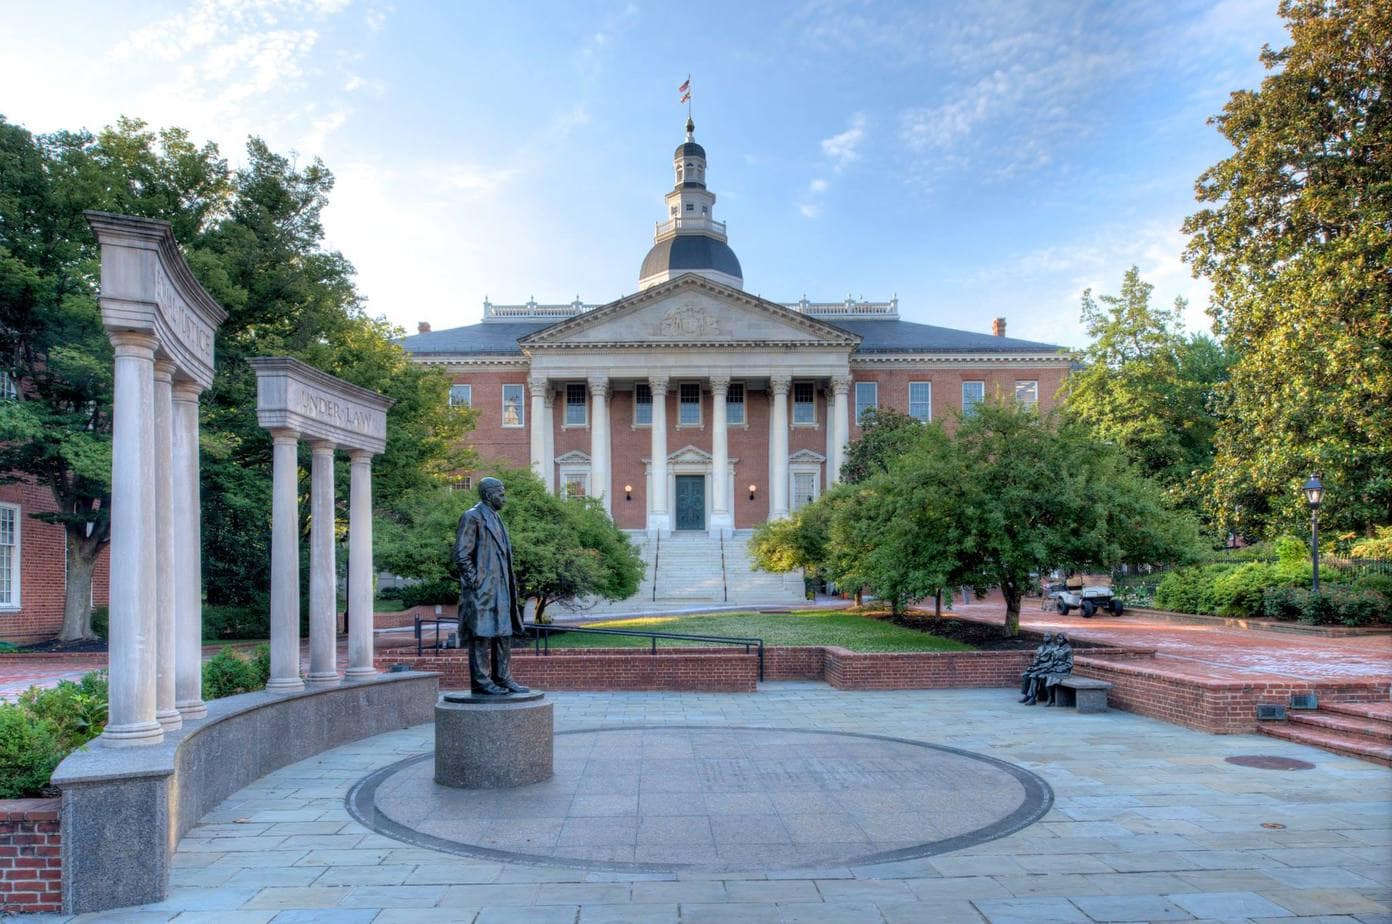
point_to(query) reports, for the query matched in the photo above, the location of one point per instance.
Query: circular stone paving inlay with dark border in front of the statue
(658, 799)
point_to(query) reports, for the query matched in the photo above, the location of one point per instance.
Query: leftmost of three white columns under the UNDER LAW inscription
(285, 563)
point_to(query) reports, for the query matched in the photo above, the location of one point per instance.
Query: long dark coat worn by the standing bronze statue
(489, 602)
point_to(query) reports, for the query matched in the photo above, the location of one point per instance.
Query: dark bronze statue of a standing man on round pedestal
(489, 606)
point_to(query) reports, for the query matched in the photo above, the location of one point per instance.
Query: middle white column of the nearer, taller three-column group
(165, 566)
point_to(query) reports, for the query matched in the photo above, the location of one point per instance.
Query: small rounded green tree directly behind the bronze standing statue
(563, 548)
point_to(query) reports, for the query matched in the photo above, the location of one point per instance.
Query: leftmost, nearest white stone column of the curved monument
(132, 598)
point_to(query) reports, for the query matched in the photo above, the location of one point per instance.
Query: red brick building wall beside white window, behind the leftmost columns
(42, 564)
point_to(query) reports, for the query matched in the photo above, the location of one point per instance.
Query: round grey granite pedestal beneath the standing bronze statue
(493, 742)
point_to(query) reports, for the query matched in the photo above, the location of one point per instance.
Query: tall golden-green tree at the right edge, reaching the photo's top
(1297, 237)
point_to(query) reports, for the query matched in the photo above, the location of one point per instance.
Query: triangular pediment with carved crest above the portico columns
(690, 311)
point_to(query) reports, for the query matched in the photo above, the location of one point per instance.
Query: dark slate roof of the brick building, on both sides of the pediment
(500, 339)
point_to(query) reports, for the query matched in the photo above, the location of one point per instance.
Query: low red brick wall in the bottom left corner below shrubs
(31, 857)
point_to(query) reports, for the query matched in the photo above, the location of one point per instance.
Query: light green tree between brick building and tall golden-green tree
(1148, 388)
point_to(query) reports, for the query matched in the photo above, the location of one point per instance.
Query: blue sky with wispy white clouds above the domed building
(978, 161)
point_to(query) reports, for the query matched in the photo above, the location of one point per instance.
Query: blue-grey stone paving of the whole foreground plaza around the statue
(1148, 823)
